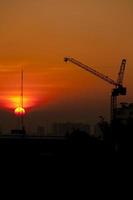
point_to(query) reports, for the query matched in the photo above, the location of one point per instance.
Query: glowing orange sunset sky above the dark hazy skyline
(37, 34)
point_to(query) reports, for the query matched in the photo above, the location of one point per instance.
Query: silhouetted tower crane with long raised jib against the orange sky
(118, 90)
